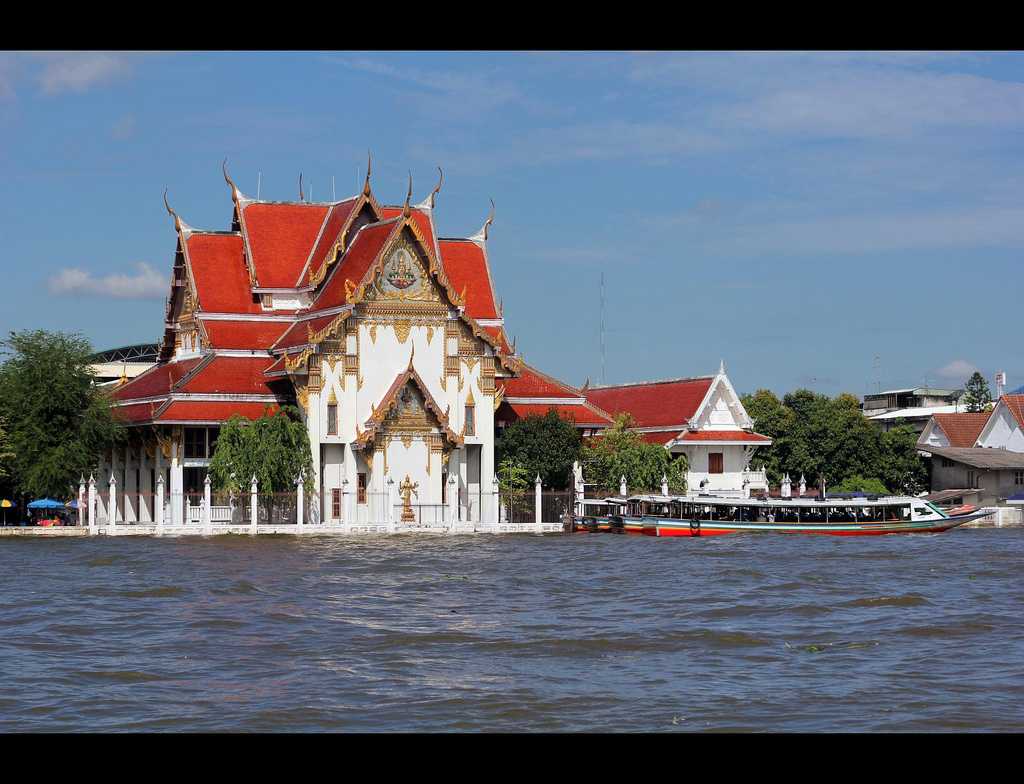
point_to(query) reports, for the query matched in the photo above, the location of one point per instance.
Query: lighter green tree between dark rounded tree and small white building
(619, 452)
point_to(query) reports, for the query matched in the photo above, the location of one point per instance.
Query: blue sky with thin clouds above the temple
(831, 221)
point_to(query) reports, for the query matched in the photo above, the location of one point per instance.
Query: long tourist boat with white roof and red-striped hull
(865, 516)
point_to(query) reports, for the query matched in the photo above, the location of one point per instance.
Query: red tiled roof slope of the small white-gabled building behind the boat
(660, 403)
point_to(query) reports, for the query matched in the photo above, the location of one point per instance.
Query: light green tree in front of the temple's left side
(275, 449)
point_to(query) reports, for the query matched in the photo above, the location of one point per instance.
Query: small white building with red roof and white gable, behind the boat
(702, 418)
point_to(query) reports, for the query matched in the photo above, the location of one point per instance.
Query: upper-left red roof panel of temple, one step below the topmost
(219, 269)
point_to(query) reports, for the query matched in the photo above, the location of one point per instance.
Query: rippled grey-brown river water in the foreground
(759, 633)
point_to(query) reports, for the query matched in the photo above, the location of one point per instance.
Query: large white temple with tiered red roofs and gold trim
(389, 338)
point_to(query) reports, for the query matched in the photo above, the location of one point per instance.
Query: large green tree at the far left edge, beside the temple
(60, 422)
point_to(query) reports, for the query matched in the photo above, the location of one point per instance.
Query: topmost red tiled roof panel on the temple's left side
(281, 238)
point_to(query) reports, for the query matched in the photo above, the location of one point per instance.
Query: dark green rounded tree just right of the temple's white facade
(547, 446)
